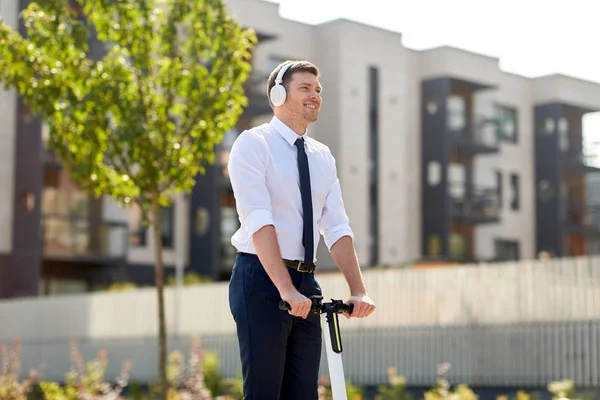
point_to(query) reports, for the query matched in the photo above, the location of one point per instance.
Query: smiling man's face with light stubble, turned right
(303, 99)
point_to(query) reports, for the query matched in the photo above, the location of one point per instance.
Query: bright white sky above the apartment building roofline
(530, 37)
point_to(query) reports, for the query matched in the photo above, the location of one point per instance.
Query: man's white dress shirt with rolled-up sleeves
(263, 168)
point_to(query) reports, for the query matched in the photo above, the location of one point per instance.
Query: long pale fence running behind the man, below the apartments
(502, 324)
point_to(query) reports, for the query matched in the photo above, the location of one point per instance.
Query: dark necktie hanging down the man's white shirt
(307, 235)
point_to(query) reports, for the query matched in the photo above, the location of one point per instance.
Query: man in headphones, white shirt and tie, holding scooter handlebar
(287, 191)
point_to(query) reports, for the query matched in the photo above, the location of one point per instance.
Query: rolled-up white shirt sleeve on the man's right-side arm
(334, 223)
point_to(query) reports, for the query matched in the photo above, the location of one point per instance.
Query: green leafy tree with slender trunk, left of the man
(138, 120)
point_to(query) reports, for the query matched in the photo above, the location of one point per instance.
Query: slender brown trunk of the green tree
(160, 279)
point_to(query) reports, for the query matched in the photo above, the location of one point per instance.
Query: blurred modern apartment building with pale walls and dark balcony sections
(441, 156)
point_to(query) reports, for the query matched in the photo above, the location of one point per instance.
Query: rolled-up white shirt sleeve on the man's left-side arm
(247, 167)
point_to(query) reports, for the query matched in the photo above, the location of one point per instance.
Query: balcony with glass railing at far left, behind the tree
(78, 239)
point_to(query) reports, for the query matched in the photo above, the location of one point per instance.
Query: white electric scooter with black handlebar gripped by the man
(333, 340)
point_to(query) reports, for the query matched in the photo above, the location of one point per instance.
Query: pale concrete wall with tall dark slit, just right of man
(360, 47)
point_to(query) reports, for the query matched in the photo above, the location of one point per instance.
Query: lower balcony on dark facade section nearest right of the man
(473, 203)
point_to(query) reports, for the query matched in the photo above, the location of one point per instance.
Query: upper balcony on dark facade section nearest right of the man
(471, 135)
